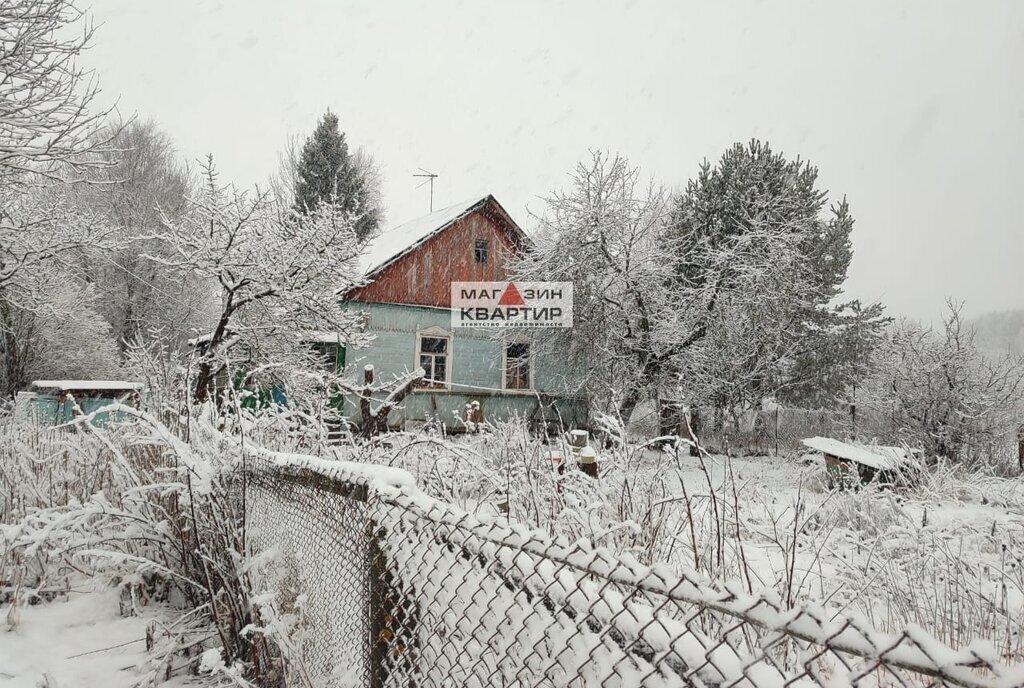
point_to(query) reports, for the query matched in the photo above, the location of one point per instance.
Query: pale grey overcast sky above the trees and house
(914, 110)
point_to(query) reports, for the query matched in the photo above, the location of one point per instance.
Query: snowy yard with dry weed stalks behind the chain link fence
(945, 554)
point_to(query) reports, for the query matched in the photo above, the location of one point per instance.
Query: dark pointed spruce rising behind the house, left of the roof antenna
(327, 175)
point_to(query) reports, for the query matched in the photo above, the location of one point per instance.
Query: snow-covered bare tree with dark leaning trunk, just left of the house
(279, 273)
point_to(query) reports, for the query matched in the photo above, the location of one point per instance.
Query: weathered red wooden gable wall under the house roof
(423, 277)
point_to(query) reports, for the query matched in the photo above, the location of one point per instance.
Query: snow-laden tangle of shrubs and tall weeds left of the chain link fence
(161, 518)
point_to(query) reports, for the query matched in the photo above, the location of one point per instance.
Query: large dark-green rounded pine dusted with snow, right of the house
(753, 243)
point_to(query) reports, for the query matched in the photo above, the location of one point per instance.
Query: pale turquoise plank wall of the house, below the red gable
(477, 372)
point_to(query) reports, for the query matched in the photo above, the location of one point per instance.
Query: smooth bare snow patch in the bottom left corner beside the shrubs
(78, 642)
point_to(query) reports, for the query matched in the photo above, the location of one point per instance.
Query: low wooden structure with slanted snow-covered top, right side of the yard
(847, 464)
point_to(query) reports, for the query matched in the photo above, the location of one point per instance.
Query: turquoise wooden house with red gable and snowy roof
(407, 307)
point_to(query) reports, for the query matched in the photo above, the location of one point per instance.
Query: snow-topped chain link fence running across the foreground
(392, 588)
